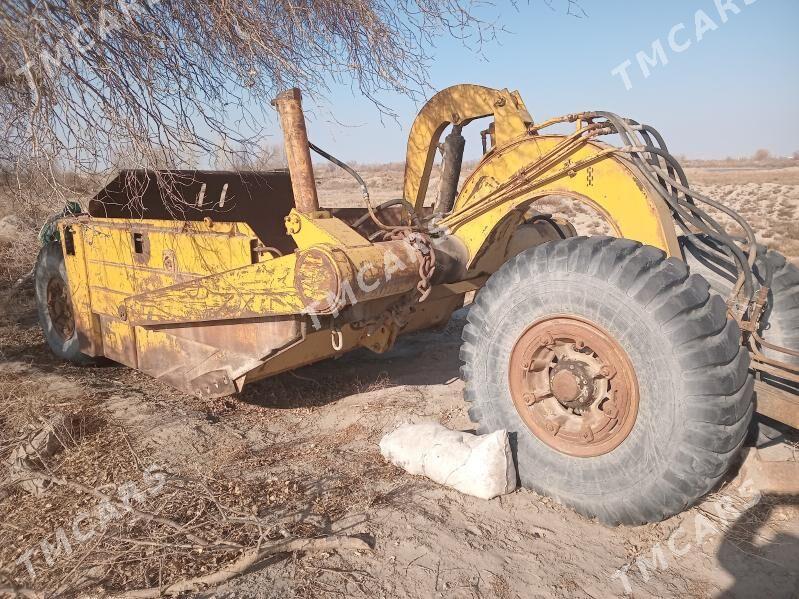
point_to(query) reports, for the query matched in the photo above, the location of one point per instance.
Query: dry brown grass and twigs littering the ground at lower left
(195, 523)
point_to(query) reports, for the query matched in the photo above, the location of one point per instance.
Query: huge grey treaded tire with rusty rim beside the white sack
(621, 382)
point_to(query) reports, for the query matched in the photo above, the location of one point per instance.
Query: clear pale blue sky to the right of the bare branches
(731, 93)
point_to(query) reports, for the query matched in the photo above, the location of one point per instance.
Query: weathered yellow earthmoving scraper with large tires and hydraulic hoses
(623, 367)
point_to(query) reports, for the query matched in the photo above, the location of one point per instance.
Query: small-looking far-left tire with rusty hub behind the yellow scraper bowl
(56, 315)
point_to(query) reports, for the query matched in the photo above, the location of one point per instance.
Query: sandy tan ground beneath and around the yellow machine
(298, 454)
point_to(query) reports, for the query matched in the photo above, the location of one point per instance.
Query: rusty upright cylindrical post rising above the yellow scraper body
(298, 154)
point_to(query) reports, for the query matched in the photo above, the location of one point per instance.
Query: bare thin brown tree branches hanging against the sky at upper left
(94, 86)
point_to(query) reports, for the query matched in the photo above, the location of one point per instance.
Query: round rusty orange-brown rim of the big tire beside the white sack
(574, 386)
